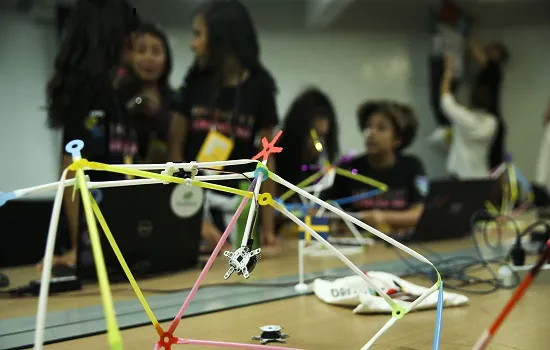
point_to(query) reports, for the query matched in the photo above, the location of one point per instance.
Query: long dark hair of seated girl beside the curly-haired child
(308, 106)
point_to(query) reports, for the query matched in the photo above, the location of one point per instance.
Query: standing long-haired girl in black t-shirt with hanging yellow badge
(226, 91)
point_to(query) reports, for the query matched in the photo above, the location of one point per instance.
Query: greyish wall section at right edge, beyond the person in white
(526, 90)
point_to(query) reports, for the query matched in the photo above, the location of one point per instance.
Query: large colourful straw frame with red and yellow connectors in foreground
(144, 175)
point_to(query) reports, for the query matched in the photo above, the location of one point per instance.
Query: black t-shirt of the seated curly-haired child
(406, 183)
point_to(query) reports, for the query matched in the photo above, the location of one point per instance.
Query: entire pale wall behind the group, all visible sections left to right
(368, 54)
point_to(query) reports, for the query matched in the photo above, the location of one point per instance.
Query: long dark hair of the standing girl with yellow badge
(231, 31)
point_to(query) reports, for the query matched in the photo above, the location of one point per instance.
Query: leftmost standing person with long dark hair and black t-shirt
(81, 100)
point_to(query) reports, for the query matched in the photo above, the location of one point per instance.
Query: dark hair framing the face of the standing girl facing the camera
(132, 84)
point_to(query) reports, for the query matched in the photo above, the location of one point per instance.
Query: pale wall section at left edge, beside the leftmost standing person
(29, 152)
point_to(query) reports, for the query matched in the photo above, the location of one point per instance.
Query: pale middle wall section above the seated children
(351, 66)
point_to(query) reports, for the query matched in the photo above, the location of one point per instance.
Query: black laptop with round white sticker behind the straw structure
(156, 227)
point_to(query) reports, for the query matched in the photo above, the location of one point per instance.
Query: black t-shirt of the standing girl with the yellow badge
(237, 112)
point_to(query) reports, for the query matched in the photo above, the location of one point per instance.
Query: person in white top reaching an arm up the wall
(474, 129)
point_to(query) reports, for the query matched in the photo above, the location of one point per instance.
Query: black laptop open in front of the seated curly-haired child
(449, 206)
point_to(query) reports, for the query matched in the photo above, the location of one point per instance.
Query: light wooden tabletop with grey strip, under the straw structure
(234, 313)
